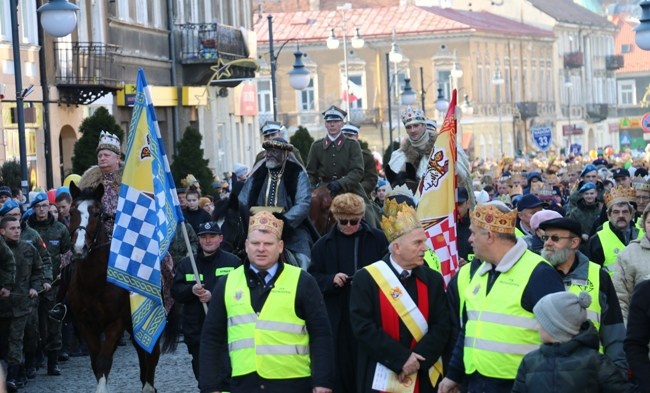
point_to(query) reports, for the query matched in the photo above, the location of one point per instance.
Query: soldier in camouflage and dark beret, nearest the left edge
(28, 281)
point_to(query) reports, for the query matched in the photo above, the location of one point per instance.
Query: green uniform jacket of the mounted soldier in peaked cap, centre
(340, 160)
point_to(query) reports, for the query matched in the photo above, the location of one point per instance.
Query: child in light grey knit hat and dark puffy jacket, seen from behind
(568, 360)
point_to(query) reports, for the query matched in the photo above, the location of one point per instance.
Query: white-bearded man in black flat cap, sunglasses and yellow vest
(561, 242)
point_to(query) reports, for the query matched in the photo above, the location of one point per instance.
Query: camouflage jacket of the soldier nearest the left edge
(29, 275)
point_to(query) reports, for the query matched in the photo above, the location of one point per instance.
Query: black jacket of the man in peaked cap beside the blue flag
(193, 312)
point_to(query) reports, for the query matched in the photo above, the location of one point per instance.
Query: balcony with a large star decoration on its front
(204, 45)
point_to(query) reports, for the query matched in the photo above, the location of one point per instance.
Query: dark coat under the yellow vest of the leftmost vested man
(214, 359)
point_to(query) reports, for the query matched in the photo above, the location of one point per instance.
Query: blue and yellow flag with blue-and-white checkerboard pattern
(147, 214)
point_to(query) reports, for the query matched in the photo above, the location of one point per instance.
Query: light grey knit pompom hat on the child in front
(562, 313)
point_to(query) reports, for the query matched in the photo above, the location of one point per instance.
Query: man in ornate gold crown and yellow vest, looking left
(499, 326)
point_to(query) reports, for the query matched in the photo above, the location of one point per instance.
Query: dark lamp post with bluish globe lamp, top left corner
(58, 18)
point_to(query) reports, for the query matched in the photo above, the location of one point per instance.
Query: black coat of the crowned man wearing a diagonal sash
(375, 345)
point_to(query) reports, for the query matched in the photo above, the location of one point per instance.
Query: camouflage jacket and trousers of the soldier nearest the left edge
(29, 275)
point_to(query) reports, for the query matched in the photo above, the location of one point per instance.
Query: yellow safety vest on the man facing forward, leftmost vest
(274, 344)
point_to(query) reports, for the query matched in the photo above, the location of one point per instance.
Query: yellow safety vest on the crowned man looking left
(499, 331)
